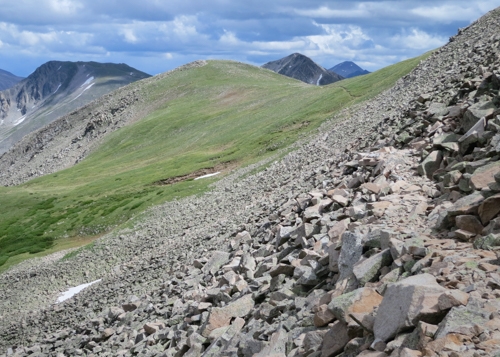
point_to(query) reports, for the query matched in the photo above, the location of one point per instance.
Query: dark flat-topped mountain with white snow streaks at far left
(55, 89)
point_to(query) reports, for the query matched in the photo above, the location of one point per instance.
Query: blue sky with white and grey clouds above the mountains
(155, 36)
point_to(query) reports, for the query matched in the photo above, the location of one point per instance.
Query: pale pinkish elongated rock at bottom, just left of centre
(221, 316)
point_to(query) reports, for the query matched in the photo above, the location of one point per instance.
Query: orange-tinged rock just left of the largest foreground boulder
(359, 301)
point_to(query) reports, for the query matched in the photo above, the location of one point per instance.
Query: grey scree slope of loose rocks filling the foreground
(376, 237)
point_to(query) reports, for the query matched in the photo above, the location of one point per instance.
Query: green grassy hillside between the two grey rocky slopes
(224, 113)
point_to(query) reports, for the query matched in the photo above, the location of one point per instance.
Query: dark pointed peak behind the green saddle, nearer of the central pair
(304, 69)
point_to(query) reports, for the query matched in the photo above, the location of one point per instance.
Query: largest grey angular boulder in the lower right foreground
(407, 302)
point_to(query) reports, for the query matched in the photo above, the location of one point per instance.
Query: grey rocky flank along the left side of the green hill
(72, 137)
